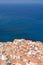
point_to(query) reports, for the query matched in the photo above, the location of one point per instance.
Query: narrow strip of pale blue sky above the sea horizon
(21, 1)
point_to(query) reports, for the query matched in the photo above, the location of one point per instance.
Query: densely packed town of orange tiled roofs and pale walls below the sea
(21, 51)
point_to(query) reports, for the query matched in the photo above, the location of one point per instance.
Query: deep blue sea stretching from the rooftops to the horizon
(21, 21)
